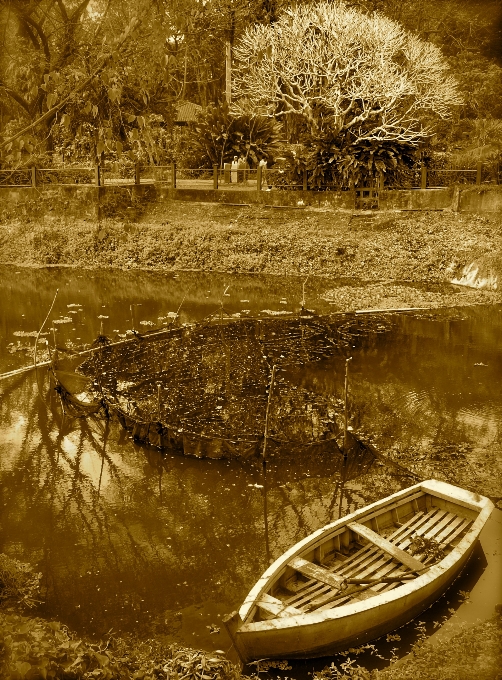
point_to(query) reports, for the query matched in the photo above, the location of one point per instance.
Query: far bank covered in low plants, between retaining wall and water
(378, 249)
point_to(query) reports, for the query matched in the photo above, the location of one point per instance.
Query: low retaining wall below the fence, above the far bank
(128, 202)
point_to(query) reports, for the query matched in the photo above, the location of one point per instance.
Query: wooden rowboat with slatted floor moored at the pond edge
(361, 576)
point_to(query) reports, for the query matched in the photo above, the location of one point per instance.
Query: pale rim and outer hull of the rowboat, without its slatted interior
(320, 633)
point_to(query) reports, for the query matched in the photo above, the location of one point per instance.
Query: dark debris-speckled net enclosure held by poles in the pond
(205, 389)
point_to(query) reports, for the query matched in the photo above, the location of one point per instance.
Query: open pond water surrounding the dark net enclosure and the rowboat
(132, 540)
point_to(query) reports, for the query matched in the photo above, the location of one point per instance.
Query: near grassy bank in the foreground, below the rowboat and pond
(35, 648)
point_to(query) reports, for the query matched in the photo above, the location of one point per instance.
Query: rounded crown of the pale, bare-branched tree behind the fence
(350, 76)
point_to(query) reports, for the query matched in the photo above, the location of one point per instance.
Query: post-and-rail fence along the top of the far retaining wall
(261, 178)
